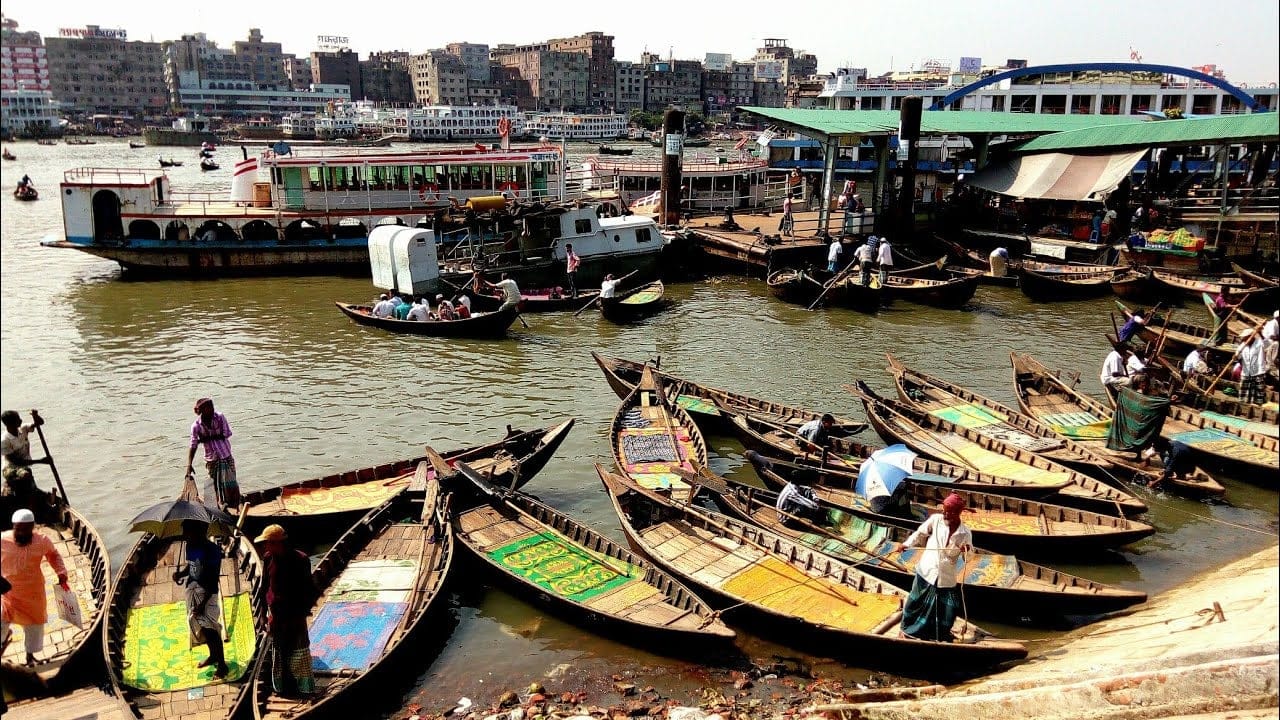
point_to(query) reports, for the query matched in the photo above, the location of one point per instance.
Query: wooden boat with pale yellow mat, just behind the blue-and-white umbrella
(952, 443)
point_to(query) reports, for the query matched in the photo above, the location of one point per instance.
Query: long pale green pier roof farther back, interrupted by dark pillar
(935, 122)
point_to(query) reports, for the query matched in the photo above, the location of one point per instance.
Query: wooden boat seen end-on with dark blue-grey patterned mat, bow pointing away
(655, 440)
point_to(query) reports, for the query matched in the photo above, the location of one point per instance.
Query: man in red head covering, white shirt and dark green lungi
(932, 607)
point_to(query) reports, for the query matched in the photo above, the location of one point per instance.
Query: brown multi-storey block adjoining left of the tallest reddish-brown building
(557, 81)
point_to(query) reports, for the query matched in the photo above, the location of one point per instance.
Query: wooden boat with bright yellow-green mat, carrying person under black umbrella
(153, 671)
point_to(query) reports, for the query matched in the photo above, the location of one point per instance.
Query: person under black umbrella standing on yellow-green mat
(204, 567)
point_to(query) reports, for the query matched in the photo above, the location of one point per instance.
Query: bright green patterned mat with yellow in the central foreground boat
(560, 567)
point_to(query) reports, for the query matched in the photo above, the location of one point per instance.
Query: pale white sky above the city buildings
(1242, 43)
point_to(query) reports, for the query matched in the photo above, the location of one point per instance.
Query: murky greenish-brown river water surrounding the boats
(115, 368)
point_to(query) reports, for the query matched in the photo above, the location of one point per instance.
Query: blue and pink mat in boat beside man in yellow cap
(351, 636)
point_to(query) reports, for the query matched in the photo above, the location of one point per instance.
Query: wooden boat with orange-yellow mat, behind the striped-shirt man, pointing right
(333, 503)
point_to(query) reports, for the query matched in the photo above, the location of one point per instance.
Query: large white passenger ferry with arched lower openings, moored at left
(308, 212)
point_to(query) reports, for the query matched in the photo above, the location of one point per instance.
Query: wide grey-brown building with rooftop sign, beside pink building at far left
(98, 71)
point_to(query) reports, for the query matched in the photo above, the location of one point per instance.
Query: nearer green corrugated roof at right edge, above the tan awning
(1192, 131)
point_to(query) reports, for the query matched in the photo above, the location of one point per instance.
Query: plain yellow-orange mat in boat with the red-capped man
(780, 586)
